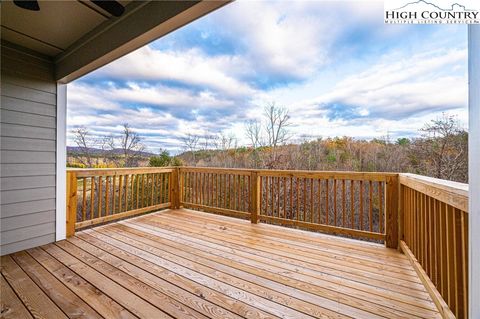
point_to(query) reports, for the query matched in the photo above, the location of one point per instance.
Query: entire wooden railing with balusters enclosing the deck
(426, 218)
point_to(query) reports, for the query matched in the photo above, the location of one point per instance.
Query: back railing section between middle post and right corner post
(345, 203)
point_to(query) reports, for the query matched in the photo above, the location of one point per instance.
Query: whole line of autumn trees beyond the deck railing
(440, 150)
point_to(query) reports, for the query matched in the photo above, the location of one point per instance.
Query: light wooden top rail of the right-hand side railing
(451, 193)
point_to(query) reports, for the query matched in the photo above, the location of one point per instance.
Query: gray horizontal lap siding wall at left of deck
(28, 146)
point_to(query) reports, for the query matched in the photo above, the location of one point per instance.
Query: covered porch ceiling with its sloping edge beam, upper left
(80, 37)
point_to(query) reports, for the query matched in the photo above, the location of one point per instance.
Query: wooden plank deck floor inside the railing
(187, 264)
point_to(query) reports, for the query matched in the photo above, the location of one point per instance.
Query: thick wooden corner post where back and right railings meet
(391, 206)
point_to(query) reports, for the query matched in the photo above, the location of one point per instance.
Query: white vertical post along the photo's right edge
(474, 169)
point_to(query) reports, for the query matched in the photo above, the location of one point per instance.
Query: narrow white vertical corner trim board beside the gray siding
(61, 161)
